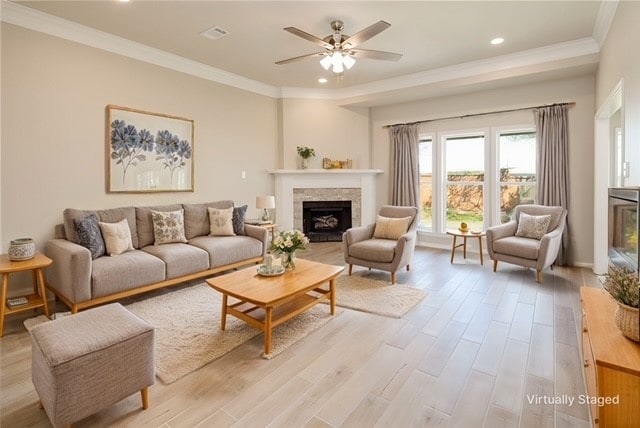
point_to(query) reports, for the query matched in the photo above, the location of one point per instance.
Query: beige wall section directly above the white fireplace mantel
(333, 131)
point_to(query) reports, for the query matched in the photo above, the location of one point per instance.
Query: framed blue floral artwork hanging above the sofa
(148, 152)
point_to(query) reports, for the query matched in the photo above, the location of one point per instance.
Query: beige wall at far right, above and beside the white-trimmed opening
(619, 59)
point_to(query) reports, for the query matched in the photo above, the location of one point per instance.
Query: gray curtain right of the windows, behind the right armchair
(552, 132)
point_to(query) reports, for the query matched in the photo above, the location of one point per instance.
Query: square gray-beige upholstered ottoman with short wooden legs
(86, 362)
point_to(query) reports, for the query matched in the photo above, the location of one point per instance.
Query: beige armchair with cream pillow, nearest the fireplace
(387, 245)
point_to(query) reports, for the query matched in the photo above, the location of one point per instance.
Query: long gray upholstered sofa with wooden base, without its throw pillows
(81, 282)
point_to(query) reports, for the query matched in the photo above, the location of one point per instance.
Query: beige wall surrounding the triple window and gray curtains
(580, 90)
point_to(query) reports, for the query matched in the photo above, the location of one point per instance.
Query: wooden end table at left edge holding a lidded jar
(39, 297)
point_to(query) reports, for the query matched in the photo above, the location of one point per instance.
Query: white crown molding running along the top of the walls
(38, 21)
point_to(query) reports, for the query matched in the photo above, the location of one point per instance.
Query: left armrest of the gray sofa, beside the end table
(70, 273)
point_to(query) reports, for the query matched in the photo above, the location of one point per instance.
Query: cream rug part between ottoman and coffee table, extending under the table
(188, 335)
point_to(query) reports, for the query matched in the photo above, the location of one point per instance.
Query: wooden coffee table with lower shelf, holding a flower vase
(267, 302)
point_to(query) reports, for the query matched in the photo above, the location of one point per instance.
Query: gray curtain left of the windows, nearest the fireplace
(405, 180)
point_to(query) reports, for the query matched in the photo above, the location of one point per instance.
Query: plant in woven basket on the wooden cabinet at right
(624, 286)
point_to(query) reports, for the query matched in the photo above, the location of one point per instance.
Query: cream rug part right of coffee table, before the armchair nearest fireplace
(375, 296)
